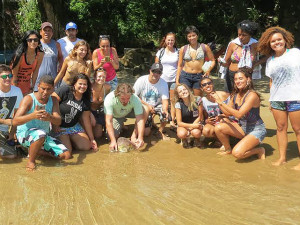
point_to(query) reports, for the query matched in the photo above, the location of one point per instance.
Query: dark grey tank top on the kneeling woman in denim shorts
(252, 117)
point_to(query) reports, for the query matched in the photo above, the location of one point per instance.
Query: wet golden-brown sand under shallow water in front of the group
(165, 184)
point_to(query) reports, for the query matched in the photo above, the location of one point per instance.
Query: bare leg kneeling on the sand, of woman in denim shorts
(246, 148)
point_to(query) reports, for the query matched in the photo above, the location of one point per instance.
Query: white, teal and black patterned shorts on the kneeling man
(51, 145)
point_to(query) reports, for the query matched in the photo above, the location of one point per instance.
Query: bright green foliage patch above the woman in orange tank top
(28, 15)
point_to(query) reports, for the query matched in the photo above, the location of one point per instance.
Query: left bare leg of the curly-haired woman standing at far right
(281, 119)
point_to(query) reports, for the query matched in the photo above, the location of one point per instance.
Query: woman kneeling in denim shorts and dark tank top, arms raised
(248, 126)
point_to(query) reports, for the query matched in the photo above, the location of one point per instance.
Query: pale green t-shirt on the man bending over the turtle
(113, 106)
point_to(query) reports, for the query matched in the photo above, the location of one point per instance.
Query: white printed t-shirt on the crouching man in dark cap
(153, 94)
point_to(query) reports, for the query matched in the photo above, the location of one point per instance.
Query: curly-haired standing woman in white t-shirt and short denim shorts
(283, 68)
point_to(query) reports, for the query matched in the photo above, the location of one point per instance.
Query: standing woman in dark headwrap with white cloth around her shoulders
(241, 52)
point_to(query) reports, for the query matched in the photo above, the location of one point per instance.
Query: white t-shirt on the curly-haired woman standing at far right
(285, 74)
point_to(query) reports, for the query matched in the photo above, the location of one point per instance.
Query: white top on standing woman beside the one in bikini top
(169, 60)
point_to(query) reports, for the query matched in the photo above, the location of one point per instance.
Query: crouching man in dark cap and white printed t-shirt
(154, 95)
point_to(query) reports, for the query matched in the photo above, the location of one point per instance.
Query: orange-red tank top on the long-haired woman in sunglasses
(24, 74)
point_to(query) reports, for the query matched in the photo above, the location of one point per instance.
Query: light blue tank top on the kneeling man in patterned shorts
(39, 124)
